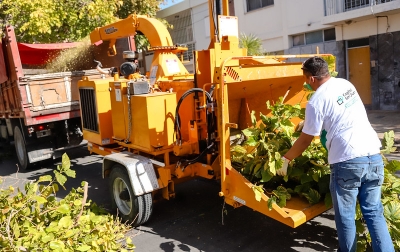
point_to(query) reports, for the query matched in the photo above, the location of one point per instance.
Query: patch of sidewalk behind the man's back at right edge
(384, 121)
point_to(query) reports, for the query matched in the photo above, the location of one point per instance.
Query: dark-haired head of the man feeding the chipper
(315, 71)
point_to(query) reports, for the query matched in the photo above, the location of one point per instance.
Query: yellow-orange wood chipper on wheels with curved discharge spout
(171, 126)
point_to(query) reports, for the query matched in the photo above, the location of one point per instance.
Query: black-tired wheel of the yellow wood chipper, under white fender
(134, 209)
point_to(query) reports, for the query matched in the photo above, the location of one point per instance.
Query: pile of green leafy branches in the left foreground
(35, 220)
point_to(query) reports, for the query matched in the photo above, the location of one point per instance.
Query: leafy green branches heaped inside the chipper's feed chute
(267, 141)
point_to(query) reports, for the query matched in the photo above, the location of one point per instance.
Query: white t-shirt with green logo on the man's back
(337, 108)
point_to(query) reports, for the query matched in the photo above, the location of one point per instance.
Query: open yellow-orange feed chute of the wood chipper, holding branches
(246, 84)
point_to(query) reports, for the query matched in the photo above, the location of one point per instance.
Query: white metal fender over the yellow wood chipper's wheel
(140, 169)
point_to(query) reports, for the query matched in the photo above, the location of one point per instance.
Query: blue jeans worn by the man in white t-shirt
(359, 179)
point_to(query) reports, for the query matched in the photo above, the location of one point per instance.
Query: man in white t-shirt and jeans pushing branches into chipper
(353, 154)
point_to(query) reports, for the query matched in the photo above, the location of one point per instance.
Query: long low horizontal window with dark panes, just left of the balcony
(314, 37)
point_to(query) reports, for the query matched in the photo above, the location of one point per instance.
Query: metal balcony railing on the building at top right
(338, 6)
